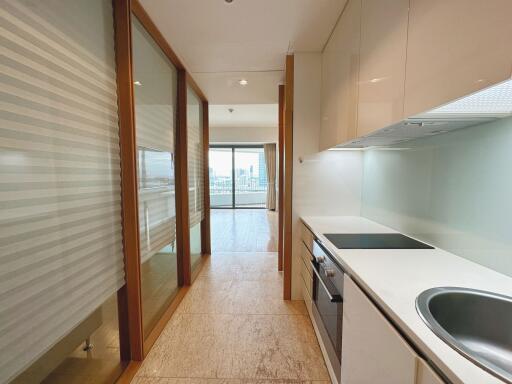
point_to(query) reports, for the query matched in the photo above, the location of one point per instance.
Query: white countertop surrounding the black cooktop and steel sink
(394, 278)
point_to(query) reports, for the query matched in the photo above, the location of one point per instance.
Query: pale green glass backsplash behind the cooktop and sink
(452, 190)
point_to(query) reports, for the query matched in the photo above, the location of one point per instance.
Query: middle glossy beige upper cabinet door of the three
(382, 61)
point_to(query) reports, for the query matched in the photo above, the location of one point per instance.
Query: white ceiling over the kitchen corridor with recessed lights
(222, 43)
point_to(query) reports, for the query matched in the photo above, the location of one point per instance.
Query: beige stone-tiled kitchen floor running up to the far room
(233, 327)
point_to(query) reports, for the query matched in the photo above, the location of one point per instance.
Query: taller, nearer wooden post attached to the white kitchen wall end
(287, 185)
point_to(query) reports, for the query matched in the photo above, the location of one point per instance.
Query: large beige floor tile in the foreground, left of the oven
(237, 346)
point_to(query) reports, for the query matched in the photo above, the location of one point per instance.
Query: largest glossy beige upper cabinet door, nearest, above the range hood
(455, 47)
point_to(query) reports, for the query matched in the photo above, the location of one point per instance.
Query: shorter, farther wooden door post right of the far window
(280, 184)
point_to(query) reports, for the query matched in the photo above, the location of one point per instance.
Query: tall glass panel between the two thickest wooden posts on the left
(155, 115)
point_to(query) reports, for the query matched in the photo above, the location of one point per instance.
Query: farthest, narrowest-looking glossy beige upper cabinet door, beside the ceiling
(340, 68)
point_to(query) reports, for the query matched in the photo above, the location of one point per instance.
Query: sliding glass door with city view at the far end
(238, 176)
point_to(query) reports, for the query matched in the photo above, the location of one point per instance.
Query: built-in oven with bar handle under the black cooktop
(328, 302)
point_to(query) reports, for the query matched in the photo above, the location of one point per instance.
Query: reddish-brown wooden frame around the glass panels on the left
(134, 346)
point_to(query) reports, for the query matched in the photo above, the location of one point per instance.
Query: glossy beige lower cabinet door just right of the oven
(373, 351)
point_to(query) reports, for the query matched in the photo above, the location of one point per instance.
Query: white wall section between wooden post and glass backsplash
(325, 183)
